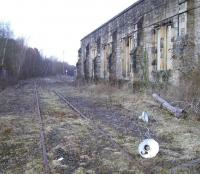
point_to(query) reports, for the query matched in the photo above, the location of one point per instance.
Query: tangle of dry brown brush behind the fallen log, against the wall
(187, 95)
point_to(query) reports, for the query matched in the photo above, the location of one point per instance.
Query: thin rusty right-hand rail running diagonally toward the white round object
(98, 128)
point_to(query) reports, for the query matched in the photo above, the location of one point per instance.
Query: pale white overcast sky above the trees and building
(57, 26)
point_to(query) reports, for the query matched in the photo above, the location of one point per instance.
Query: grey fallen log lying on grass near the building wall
(174, 110)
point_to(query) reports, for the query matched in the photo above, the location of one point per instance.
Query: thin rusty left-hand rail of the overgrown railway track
(42, 132)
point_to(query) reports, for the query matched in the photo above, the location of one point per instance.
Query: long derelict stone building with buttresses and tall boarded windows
(150, 40)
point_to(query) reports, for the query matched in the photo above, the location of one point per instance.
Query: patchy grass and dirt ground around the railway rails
(78, 142)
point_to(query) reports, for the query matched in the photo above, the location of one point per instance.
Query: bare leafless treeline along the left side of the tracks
(18, 61)
